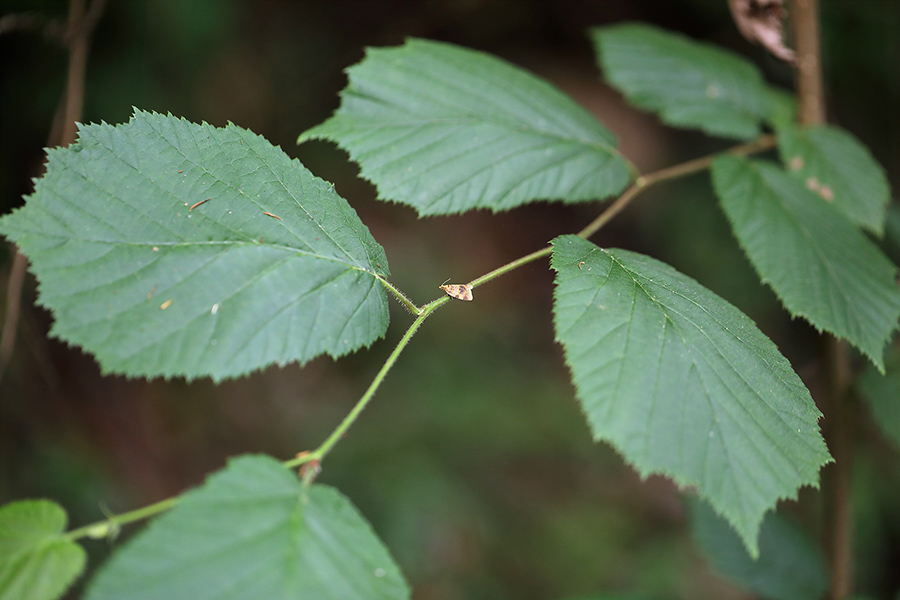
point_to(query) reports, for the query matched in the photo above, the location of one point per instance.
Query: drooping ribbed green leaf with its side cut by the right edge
(821, 267)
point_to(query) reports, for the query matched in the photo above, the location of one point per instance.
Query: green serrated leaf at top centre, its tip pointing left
(446, 129)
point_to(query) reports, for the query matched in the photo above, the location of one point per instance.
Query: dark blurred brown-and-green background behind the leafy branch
(473, 463)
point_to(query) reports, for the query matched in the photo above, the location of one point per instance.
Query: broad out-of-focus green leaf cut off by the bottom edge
(252, 531)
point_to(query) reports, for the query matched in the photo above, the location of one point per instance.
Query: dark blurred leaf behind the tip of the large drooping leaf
(790, 566)
